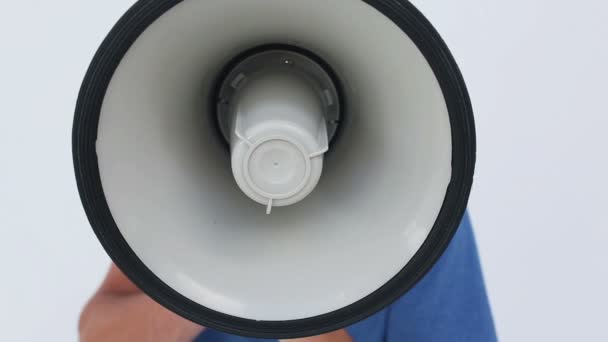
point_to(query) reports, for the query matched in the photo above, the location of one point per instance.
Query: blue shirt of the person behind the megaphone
(449, 305)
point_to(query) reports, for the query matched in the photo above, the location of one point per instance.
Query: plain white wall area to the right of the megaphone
(537, 71)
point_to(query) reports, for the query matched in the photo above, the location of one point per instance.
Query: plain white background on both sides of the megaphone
(537, 73)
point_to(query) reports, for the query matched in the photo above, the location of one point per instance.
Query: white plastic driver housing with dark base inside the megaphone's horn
(274, 108)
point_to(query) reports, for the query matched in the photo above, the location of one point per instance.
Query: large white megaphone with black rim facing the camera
(273, 168)
